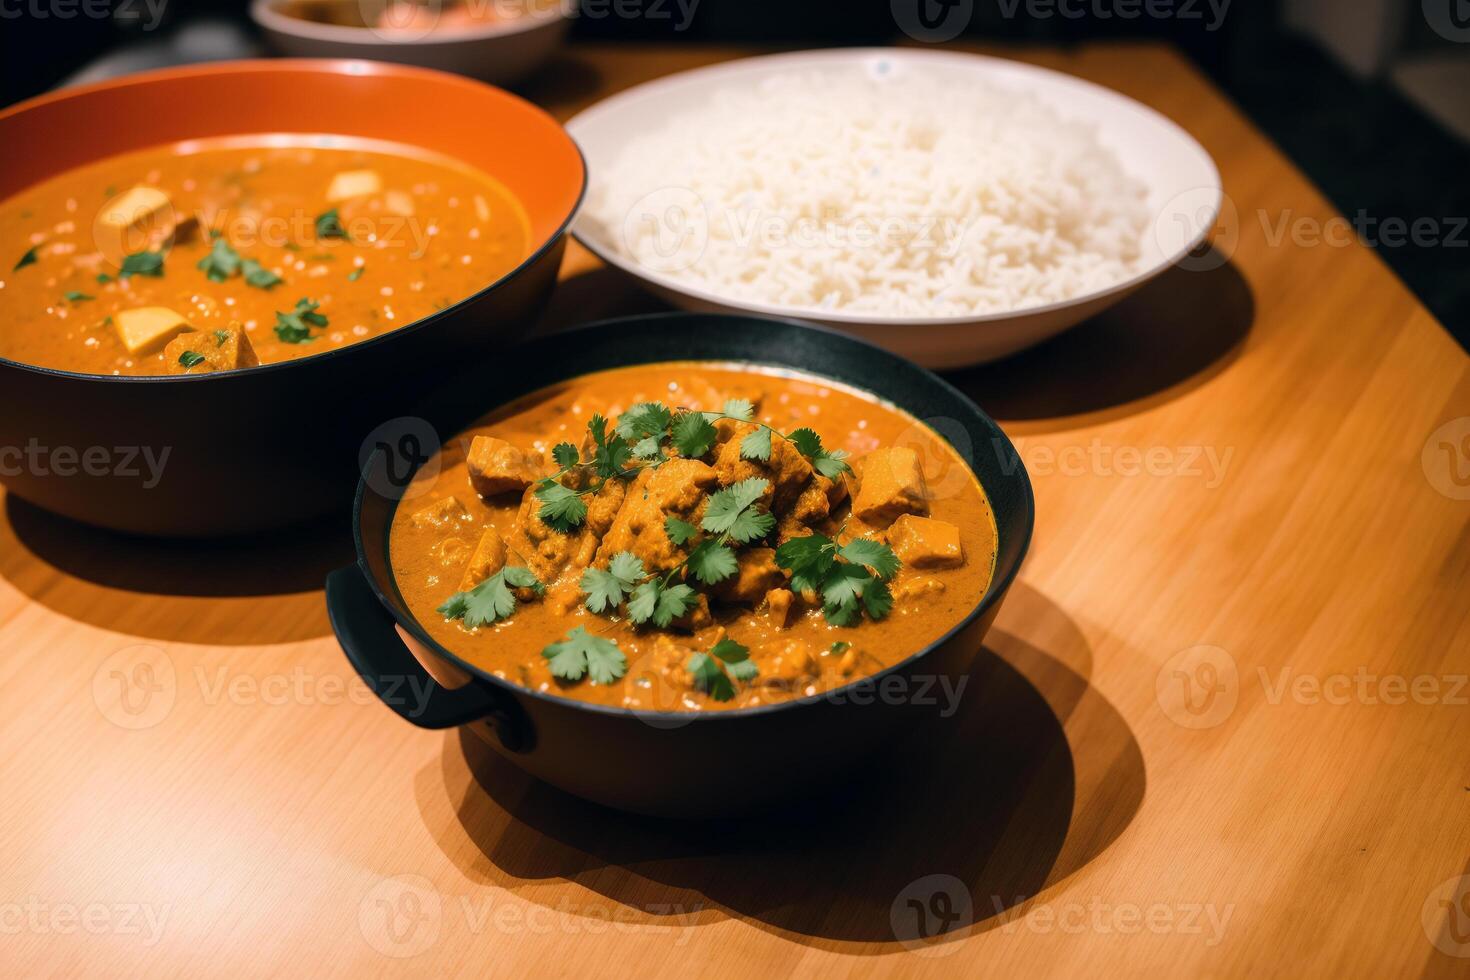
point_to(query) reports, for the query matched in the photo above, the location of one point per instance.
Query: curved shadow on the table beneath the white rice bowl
(1168, 339)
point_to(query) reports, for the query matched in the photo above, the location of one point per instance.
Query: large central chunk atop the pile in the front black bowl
(674, 490)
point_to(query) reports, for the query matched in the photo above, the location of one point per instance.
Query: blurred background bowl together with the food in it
(493, 40)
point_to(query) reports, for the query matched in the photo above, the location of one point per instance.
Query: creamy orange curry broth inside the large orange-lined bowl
(431, 233)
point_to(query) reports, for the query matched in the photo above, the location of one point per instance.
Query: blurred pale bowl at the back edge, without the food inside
(499, 54)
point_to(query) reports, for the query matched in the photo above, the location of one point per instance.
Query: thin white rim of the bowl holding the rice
(664, 281)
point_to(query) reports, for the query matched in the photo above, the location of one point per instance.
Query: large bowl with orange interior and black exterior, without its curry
(267, 447)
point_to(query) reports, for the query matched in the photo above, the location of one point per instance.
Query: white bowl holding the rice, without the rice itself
(1183, 181)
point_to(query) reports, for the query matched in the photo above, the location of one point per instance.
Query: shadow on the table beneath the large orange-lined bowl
(261, 590)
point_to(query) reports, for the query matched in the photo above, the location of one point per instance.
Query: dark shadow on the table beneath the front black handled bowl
(1033, 778)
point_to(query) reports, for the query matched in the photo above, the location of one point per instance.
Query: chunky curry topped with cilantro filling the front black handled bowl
(693, 537)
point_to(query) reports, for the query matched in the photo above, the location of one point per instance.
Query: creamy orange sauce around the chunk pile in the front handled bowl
(430, 559)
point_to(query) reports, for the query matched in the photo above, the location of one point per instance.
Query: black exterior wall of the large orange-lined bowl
(239, 453)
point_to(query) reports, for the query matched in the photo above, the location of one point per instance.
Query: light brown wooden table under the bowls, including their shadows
(1221, 728)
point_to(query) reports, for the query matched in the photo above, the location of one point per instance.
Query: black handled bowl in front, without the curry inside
(659, 763)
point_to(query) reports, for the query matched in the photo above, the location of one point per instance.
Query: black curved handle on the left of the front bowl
(367, 633)
